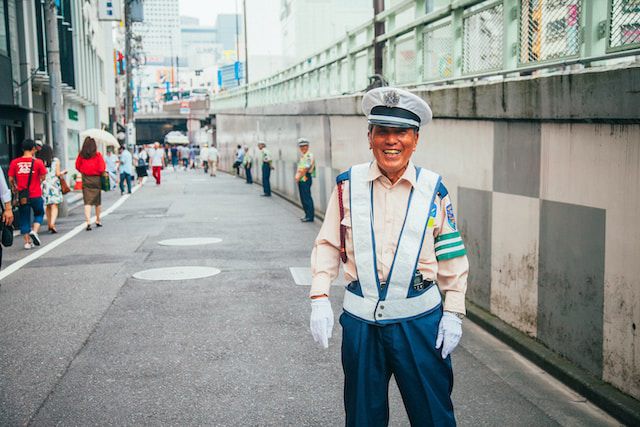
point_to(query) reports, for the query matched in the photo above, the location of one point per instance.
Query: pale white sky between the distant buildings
(261, 15)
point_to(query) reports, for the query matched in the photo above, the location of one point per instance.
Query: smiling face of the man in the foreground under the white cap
(393, 147)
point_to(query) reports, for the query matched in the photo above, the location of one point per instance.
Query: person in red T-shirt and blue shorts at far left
(19, 171)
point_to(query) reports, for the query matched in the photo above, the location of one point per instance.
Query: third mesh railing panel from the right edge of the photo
(483, 33)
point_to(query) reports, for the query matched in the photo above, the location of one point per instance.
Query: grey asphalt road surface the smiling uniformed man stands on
(82, 342)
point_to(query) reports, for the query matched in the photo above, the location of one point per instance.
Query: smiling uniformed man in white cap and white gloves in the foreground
(392, 225)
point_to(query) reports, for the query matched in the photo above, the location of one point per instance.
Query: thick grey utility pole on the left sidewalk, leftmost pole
(55, 82)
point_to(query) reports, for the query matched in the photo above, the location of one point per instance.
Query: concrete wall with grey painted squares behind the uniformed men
(545, 176)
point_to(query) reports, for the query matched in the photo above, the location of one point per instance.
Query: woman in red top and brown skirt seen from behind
(92, 166)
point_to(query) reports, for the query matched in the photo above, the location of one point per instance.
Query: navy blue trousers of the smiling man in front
(406, 350)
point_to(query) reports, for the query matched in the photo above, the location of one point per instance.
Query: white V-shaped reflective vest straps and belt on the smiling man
(376, 305)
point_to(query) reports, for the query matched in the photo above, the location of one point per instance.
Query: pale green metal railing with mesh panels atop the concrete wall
(429, 42)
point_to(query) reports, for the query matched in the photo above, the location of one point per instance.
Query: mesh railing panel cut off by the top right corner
(624, 26)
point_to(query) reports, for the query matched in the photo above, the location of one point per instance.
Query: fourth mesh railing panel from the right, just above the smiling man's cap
(438, 51)
